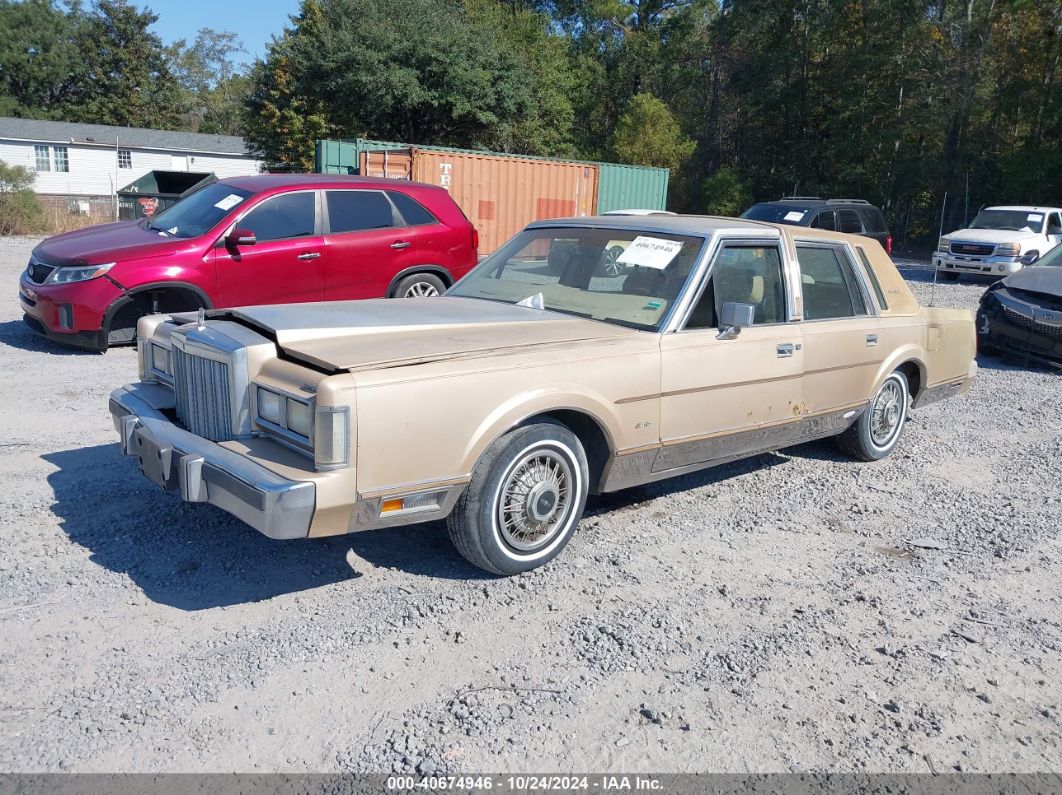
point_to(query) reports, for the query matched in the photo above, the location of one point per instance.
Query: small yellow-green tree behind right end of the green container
(648, 134)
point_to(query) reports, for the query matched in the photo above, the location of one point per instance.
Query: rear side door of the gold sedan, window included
(841, 330)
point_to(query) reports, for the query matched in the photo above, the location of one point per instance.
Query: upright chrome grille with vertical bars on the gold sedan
(203, 403)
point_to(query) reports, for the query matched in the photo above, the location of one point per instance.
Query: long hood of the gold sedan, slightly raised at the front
(383, 333)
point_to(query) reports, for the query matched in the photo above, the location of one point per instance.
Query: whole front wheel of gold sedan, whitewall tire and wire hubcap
(524, 503)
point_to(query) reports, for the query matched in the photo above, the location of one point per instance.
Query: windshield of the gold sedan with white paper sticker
(626, 278)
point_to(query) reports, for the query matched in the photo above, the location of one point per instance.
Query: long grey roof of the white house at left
(105, 135)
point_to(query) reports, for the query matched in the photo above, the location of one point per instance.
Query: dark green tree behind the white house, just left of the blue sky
(125, 78)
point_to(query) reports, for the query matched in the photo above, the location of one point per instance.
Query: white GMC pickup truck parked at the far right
(999, 243)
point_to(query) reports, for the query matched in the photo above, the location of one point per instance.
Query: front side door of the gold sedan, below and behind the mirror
(722, 399)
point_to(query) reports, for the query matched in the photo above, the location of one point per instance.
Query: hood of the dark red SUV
(116, 243)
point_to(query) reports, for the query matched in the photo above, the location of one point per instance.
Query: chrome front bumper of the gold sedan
(203, 472)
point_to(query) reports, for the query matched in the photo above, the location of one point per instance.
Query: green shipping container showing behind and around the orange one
(620, 187)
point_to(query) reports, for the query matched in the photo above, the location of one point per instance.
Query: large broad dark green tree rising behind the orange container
(416, 71)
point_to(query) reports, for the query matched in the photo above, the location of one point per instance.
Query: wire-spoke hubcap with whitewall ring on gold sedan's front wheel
(535, 502)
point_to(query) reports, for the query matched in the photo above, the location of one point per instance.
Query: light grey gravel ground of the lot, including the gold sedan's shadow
(767, 616)
